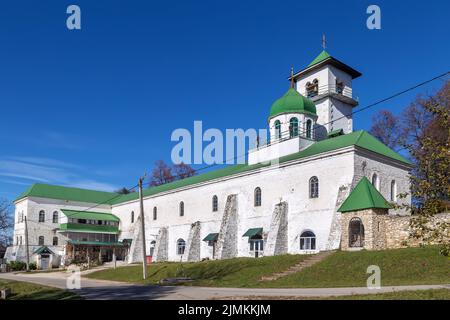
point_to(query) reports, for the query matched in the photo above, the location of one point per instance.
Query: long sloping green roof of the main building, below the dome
(361, 139)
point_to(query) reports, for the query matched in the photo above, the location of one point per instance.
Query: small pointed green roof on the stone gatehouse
(364, 196)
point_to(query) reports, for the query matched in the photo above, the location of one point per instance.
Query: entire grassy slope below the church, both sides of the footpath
(341, 269)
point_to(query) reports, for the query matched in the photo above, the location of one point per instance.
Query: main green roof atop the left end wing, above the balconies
(66, 193)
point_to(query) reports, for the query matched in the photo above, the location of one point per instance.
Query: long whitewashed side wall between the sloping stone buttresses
(288, 183)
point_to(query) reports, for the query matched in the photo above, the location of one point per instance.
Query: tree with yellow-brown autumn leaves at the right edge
(430, 179)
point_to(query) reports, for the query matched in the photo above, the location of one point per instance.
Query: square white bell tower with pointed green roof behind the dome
(328, 83)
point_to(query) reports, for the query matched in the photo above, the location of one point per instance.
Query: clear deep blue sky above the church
(96, 107)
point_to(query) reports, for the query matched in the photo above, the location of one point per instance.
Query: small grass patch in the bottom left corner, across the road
(30, 291)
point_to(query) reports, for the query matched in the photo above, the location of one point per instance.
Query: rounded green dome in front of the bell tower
(292, 102)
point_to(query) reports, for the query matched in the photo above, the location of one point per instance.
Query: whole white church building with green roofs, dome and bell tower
(285, 199)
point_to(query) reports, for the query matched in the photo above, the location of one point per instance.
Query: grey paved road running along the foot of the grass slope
(110, 290)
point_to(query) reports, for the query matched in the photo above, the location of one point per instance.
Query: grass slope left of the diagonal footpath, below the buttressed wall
(238, 272)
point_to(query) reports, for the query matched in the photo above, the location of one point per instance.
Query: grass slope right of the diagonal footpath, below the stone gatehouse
(398, 267)
